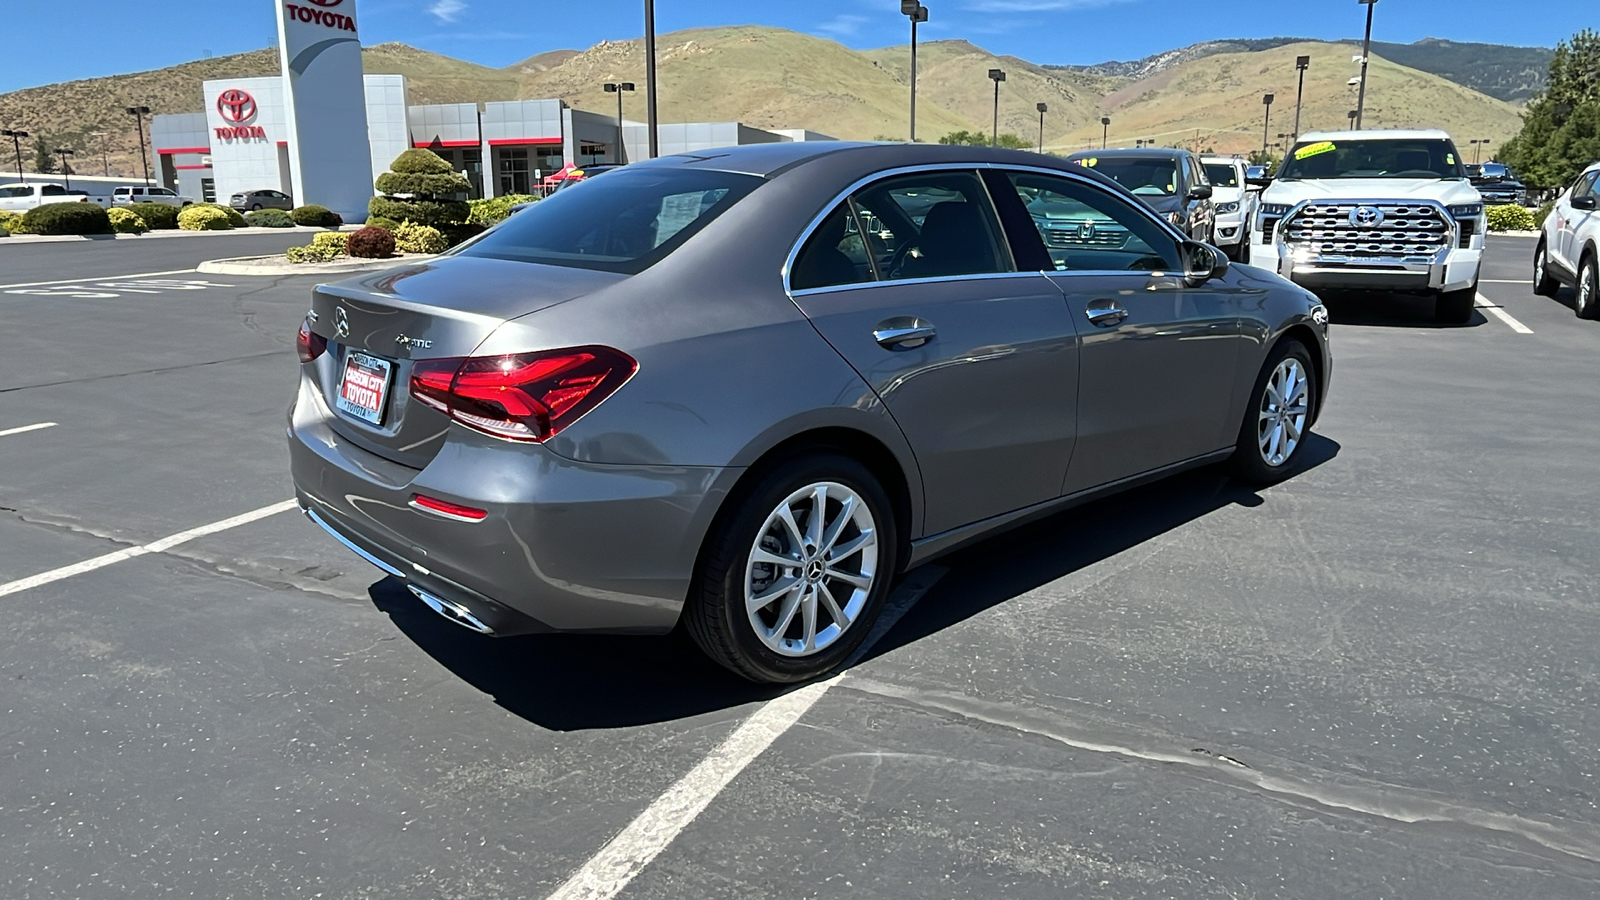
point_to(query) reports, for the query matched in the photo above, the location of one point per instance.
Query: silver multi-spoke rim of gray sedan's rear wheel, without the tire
(812, 569)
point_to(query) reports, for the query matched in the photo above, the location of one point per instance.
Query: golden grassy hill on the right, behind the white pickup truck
(1217, 102)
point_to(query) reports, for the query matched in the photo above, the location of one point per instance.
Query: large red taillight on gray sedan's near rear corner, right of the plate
(522, 396)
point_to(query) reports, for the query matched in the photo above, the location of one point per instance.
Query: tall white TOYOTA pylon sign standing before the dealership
(326, 105)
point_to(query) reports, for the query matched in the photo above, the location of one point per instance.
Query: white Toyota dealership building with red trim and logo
(241, 140)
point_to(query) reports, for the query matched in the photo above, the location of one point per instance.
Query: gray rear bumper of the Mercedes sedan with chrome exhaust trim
(566, 545)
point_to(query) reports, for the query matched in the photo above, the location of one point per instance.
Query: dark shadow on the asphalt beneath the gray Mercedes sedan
(580, 681)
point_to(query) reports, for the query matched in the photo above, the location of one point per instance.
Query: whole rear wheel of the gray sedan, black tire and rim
(793, 638)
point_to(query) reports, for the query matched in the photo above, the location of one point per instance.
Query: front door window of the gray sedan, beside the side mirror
(1089, 230)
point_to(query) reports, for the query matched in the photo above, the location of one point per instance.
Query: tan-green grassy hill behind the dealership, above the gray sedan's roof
(759, 76)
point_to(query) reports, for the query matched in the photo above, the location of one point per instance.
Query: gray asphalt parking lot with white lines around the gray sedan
(1377, 680)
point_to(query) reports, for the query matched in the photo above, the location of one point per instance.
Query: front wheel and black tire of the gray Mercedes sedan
(1273, 436)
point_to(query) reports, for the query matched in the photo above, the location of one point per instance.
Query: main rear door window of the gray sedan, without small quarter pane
(932, 225)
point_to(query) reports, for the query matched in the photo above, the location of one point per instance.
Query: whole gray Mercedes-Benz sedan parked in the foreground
(745, 390)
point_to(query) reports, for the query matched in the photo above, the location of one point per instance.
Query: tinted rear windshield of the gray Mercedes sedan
(622, 223)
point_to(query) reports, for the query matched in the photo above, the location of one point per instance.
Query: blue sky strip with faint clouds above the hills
(129, 36)
